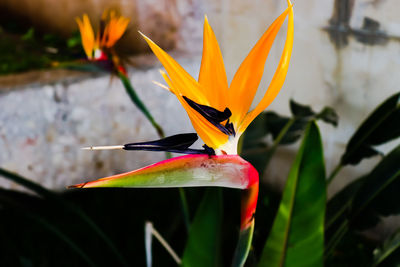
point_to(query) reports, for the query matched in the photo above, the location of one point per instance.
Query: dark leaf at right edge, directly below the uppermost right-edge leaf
(379, 193)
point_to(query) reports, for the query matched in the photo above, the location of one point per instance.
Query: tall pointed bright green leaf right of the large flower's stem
(297, 235)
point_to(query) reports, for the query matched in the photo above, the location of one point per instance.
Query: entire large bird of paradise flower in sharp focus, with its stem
(219, 114)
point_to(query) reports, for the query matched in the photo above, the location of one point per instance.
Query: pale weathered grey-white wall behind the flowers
(346, 55)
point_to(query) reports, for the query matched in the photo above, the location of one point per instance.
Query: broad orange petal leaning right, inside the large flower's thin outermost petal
(246, 80)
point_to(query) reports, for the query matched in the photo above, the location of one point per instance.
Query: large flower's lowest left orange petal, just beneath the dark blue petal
(210, 134)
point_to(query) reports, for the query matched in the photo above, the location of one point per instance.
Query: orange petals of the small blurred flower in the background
(113, 27)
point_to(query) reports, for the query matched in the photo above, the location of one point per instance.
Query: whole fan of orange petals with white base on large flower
(212, 88)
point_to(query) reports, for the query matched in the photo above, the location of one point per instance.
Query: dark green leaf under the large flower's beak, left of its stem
(203, 245)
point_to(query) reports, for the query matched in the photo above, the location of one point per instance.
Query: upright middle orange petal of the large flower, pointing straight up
(212, 75)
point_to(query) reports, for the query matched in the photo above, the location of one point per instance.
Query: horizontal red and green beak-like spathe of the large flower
(229, 171)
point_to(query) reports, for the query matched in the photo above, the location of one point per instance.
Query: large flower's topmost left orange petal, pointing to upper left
(184, 83)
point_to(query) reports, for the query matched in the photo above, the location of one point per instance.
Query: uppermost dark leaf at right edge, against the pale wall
(381, 126)
